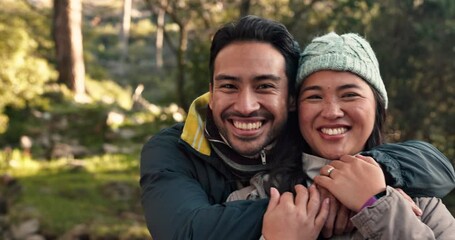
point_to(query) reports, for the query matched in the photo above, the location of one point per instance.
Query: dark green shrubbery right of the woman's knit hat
(416, 55)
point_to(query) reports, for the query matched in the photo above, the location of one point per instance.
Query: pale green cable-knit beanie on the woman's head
(348, 52)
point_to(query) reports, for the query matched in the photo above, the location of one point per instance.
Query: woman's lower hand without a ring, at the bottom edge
(299, 218)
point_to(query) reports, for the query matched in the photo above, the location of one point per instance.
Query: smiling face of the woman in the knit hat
(336, 113)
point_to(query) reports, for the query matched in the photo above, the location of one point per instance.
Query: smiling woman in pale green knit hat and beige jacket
(341, 107)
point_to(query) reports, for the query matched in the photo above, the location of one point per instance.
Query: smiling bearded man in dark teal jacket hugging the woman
(188, 171)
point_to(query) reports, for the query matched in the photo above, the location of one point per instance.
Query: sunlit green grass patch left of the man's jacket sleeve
(99, 193)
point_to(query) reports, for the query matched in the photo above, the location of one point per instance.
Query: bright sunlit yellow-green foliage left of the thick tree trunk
(23, 70)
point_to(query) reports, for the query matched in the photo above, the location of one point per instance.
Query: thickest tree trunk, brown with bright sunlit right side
(67, 31)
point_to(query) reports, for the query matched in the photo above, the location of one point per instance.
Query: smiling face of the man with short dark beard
(249, 95)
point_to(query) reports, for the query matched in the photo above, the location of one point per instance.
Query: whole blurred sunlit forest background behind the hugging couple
(83, 84)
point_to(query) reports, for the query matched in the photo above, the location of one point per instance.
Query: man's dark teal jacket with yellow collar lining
(185, 185)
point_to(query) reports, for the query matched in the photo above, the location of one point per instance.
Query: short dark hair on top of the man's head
(253, 28)
